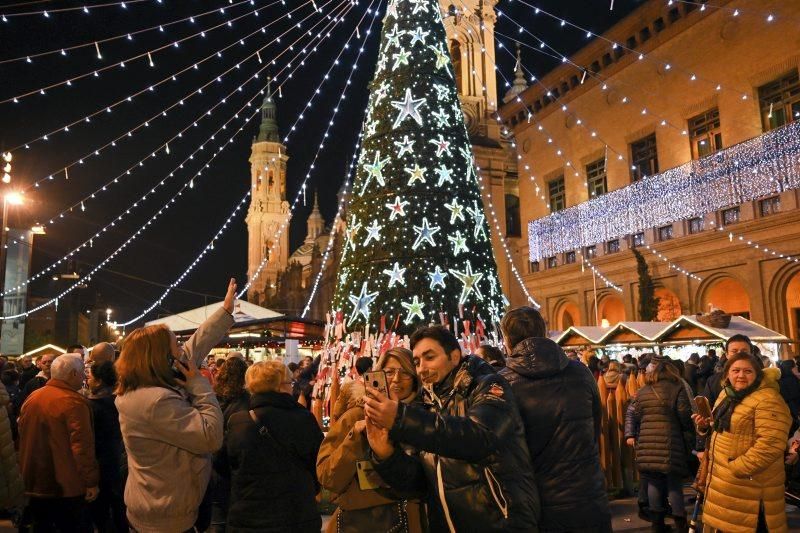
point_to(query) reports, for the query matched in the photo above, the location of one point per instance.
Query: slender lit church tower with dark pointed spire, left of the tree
(268, 206)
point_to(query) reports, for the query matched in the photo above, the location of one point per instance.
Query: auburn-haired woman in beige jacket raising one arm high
(170, 421)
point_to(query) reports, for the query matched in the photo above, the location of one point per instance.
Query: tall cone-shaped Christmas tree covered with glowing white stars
(417, 245)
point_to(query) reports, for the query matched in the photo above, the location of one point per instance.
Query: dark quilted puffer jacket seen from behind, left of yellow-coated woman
(663, 413)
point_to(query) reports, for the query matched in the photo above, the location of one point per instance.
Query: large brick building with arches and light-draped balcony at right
(678, 132)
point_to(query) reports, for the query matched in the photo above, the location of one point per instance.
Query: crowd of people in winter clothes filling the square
(161, 437)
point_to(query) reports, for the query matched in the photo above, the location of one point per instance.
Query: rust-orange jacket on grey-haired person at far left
(57, 443)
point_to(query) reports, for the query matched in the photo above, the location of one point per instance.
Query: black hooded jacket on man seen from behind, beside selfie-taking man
(560, 407)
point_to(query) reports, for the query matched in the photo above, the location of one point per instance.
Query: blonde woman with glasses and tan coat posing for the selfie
(343, 464)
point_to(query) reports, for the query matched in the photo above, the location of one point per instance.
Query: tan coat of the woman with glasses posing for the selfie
(336, 469)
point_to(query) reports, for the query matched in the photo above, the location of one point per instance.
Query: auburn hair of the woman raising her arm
(144, 360)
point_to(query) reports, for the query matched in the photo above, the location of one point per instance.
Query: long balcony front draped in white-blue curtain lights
(767, 164)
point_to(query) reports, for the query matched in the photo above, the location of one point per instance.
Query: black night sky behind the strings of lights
(134, 279)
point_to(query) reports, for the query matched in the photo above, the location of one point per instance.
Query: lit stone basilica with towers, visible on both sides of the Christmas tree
(286, 278)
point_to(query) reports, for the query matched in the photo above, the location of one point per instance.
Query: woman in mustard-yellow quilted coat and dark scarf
(749, 424)
